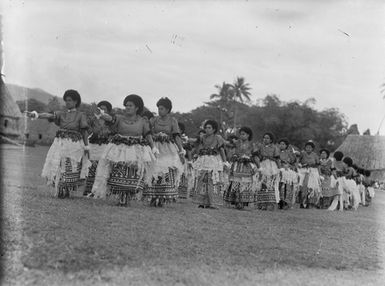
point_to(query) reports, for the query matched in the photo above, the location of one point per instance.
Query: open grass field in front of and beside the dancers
(79, 241)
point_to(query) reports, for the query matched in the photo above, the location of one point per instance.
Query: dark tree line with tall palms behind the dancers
(232, 107)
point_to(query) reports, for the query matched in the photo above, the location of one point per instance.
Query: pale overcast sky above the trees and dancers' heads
(332, 51)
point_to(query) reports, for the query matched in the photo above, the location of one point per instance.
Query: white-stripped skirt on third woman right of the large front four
(268, 187)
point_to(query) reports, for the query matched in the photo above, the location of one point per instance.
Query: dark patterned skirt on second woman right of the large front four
(241, 189)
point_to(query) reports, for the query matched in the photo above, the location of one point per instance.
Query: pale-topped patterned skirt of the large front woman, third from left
(123, 168)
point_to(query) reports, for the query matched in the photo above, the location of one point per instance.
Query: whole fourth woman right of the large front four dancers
(288, 182)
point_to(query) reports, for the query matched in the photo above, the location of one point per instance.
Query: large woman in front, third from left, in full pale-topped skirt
(125, 165)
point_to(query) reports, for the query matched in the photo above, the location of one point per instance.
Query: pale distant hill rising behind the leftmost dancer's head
(21, 93)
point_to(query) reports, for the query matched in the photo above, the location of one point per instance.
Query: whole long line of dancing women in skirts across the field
(138, 156)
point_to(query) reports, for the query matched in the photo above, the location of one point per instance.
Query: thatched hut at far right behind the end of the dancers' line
(367, 152)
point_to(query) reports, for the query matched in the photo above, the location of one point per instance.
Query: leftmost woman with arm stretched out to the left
(63, 164)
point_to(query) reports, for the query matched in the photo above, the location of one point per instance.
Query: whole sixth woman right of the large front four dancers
(328, 181)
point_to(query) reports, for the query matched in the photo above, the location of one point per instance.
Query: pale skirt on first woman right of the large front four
(209, 180)
